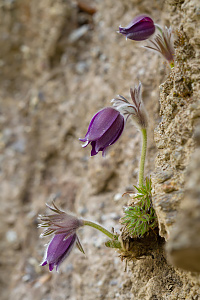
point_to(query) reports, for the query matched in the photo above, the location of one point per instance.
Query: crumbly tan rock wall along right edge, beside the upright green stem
(177, 185)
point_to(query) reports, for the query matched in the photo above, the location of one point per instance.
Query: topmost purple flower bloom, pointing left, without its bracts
(139, 29)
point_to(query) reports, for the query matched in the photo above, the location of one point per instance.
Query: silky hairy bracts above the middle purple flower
(136, 110)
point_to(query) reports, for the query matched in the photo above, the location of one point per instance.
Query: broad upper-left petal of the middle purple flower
(100, 123)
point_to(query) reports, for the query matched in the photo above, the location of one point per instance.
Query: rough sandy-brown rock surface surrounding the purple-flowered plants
(61, 61)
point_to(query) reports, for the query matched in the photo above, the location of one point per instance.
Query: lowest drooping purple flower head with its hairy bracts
(64, 227)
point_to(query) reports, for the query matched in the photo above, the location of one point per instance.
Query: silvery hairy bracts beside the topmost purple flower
(163, 44)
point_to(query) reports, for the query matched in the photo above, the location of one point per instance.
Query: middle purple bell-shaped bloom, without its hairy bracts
(104, 130)
